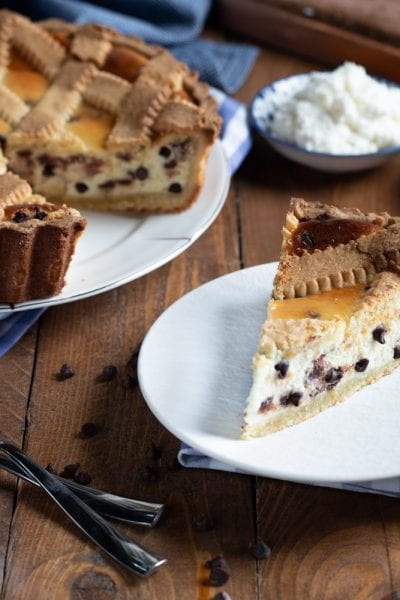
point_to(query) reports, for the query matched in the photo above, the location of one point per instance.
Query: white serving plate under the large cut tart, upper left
(118, 248)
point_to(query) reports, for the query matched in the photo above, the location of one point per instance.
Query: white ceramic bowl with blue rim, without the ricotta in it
(261, 112)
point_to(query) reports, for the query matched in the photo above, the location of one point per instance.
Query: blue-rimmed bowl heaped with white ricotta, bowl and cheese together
(341, 120)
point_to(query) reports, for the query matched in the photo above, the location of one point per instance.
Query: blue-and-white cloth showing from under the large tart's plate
(236, 141)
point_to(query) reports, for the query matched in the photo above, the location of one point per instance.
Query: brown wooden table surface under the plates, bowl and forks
(325, 543)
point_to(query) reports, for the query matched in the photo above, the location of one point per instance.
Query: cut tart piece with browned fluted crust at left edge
(37, 241)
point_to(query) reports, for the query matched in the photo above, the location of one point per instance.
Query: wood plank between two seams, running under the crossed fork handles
(48, 556)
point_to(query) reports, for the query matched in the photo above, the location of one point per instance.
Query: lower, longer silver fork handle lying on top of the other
(122, 549)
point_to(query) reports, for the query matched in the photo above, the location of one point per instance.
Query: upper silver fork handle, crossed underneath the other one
(136, 512)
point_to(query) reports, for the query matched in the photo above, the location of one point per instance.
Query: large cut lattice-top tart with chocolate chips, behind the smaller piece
(101, 120)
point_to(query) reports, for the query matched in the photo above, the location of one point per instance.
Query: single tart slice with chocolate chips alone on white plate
(334, 320)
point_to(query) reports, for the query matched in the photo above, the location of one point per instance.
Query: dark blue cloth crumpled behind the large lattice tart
(172, 23)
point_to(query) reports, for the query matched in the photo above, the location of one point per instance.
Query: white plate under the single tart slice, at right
(195, 374)
